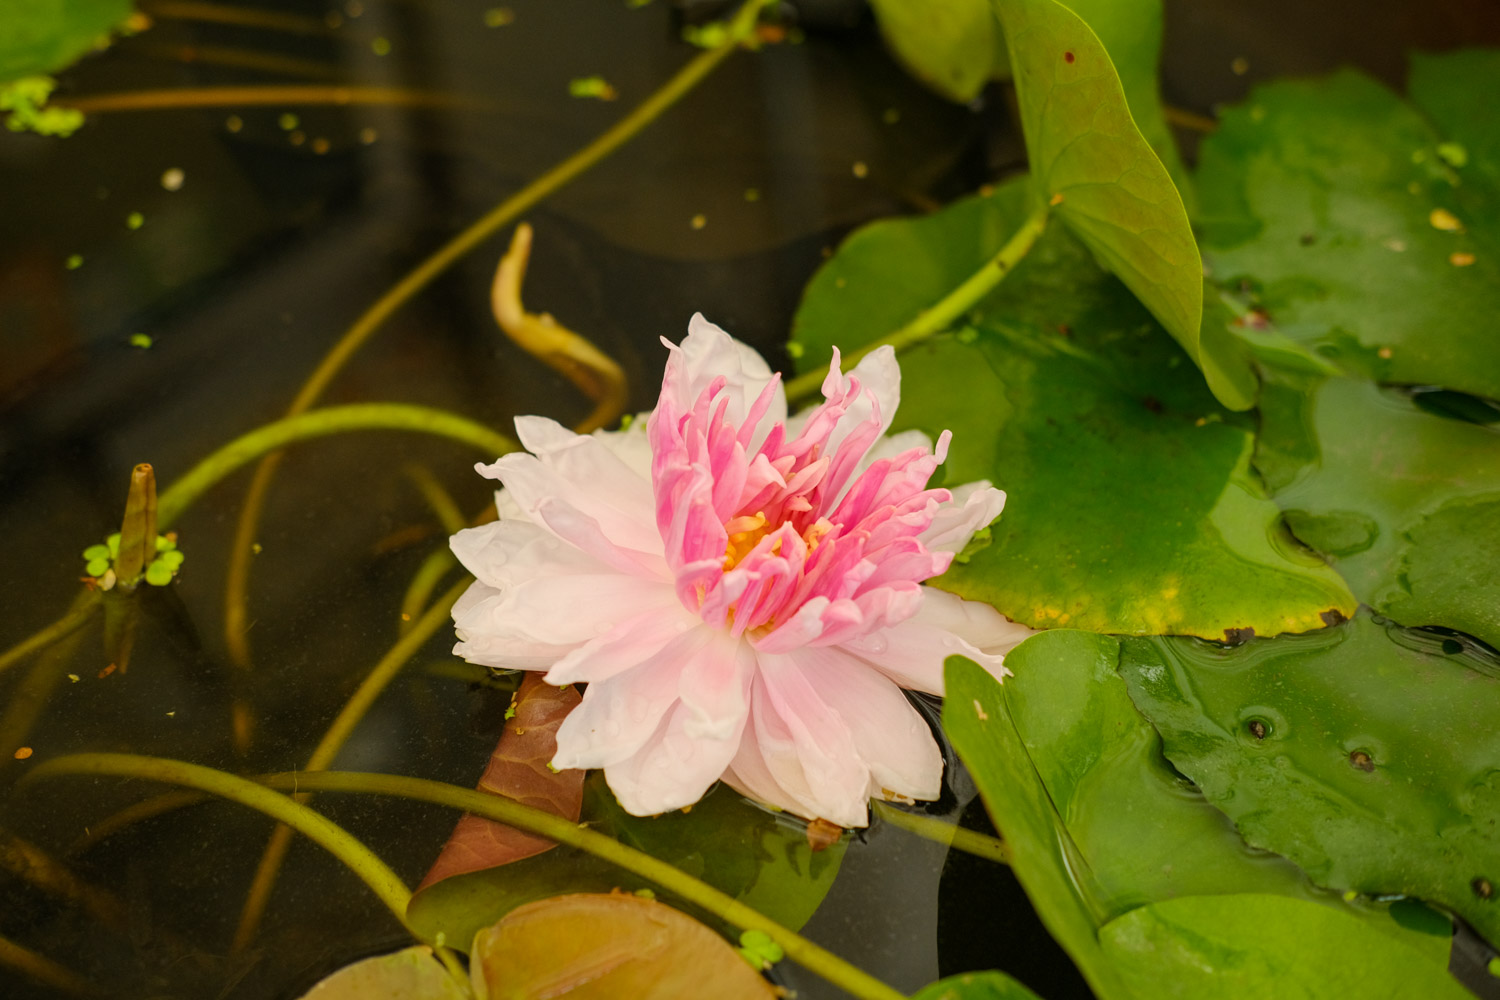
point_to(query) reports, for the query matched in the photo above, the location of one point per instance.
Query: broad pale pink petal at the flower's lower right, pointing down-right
(890, 735)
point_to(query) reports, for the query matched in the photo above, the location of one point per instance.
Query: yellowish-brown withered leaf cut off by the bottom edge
(592, 947)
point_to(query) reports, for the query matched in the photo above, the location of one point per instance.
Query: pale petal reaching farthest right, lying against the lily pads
(913, 653)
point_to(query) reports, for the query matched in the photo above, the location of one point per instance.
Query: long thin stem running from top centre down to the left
(505, 214)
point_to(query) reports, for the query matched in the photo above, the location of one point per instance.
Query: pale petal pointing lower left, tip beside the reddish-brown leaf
(620, 714)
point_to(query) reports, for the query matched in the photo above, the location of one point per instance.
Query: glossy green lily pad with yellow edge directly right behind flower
(1132, 503)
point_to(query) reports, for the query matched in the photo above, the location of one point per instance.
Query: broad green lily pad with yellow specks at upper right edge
(1337, 203)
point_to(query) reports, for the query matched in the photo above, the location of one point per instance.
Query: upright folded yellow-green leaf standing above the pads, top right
(1105, 182)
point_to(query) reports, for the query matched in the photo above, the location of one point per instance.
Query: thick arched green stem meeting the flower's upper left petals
(316, 425)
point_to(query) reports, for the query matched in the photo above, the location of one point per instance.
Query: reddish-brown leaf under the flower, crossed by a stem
(518, 770)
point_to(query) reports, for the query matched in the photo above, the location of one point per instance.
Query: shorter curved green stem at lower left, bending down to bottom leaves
(317, 828)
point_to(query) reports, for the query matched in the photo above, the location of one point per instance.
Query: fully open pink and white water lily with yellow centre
(739, 591)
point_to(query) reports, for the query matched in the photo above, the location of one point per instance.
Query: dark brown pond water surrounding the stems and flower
(263, 238)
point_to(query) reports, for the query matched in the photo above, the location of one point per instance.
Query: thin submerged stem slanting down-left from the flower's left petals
(329, 747)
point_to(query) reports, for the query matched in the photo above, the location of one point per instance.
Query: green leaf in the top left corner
(44, 37)
